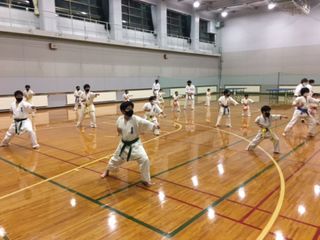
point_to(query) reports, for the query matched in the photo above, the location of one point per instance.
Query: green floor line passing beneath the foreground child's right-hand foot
(181, 164)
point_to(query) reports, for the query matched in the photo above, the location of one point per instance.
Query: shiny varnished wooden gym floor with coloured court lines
(206, 185)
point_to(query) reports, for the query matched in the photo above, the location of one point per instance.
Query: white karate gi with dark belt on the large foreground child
(130, 131)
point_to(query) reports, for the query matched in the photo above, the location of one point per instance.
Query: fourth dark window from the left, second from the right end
(178, 24)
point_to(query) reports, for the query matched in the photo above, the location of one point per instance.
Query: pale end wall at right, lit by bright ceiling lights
(271, 49)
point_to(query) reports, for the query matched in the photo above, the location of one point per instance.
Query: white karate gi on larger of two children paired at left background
(87, 107)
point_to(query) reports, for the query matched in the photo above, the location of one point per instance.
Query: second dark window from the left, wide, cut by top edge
(90, 9)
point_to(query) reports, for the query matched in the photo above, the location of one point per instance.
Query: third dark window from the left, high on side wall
(136, 15)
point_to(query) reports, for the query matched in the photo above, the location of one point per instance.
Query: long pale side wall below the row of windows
(28, 60)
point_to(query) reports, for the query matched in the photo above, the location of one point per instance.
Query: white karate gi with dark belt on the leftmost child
(21, 123)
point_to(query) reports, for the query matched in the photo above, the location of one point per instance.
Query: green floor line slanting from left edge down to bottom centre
(157, 230)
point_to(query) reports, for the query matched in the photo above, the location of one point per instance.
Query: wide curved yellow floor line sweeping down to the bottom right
(276, 211)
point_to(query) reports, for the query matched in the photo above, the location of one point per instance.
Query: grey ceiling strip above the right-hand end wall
(243, 6)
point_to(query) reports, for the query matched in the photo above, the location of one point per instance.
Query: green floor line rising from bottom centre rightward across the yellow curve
(228, 194)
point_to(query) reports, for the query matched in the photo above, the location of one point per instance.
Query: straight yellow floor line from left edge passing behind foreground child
(82, 166)
